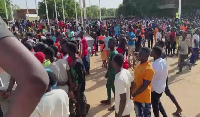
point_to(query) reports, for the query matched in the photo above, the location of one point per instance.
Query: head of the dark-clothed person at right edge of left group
(71, 49)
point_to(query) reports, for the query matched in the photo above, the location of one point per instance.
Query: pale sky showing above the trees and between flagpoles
(104, 3)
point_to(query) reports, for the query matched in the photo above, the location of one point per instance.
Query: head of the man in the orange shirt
(144, 54)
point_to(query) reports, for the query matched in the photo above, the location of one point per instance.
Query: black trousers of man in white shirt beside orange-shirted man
(157, 105)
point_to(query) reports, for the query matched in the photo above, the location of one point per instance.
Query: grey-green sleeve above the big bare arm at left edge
(4, 31)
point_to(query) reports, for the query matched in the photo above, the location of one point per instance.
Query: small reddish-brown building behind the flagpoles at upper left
(21, 13)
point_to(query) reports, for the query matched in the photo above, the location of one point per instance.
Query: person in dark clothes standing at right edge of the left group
(78, 81)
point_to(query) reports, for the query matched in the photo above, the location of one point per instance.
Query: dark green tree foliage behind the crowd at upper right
(150, 7)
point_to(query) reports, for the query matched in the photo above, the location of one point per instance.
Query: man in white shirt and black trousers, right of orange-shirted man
(159, 81)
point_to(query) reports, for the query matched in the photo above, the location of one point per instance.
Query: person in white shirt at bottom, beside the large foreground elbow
(54, 103)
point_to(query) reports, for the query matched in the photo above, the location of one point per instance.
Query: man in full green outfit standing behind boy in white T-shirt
(110, 75)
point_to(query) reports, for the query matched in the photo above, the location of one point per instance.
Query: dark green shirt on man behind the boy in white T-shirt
(111, 71)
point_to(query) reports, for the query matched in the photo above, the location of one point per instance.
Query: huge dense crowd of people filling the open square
(64, 54)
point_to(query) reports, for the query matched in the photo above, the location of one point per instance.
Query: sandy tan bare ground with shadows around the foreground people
(185, 87)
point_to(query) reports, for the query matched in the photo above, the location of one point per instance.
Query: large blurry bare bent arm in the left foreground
(29, 74)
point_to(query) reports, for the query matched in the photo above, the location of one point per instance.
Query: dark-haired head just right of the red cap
(49, 54)
